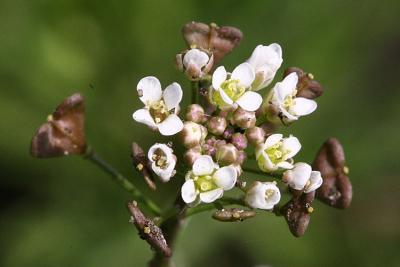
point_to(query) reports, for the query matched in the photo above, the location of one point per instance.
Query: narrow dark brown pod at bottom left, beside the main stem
(148, 230)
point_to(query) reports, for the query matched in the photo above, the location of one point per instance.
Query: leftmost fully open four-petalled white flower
(161, 108)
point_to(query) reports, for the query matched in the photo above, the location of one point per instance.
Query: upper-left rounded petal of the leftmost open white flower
(149, 89)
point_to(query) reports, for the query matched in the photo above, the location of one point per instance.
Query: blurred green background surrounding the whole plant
(66, 212)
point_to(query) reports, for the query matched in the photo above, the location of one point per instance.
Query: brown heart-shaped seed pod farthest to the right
(336, 189)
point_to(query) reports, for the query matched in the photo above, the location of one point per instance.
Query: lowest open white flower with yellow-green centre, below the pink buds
(207, 182)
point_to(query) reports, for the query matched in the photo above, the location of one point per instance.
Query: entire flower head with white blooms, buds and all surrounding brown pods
(230, 127)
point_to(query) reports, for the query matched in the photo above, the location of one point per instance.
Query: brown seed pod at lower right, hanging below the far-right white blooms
(297, 213)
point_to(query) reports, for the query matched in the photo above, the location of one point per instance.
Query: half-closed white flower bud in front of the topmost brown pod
(195, 63)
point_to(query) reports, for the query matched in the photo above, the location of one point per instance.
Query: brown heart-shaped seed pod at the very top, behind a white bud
(218, 40)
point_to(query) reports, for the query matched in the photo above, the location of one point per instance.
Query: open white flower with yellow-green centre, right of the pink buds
(277, 152)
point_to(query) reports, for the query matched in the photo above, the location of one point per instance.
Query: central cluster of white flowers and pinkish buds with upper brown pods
(230, 117)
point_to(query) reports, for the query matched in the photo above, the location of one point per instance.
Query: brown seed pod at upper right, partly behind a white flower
(306, 87)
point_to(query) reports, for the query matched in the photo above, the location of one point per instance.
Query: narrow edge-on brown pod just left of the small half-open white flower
(142, 164)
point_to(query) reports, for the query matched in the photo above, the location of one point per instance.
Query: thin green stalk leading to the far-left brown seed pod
(122, 181)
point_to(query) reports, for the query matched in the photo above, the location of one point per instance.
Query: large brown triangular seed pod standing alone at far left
(63, 134)
